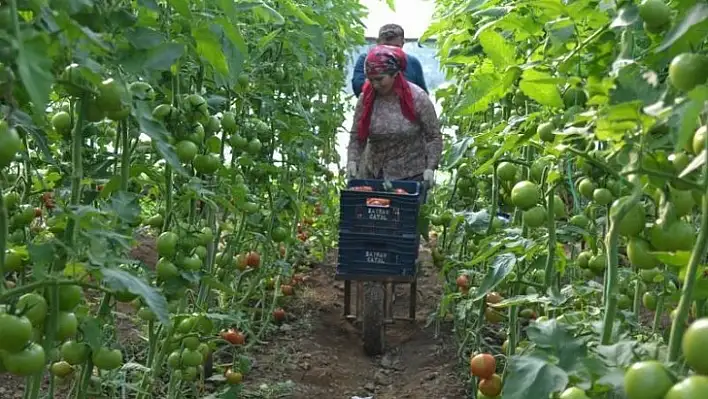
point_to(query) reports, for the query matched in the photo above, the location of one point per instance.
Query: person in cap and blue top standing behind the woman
(391, 35)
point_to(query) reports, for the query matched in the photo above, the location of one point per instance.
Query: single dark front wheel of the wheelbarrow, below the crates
(373, 318)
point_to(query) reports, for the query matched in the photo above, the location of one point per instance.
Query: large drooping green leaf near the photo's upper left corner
(34, 67)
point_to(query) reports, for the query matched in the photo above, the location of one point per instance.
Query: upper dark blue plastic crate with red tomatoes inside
(399, 217)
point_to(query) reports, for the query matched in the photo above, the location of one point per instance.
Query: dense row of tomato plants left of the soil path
(157, 157)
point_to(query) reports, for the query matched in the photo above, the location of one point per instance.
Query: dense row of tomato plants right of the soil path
(575, 204)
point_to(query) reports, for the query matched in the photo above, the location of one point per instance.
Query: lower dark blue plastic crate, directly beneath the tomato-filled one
(377, 255)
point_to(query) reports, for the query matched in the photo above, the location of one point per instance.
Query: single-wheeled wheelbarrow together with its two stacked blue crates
(378, 248)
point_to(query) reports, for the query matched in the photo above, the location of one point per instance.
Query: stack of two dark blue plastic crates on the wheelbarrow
(378, 230)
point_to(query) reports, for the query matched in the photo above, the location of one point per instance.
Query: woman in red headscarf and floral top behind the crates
(396, 132)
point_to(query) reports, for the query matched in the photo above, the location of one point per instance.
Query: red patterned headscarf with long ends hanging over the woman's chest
(384, 59)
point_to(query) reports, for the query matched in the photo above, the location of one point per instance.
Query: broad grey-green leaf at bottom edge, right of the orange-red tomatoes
(532, 377)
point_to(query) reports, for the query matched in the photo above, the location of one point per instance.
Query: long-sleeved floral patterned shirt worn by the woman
(397, 149)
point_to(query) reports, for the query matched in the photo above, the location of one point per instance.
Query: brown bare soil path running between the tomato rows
(322, 355)
